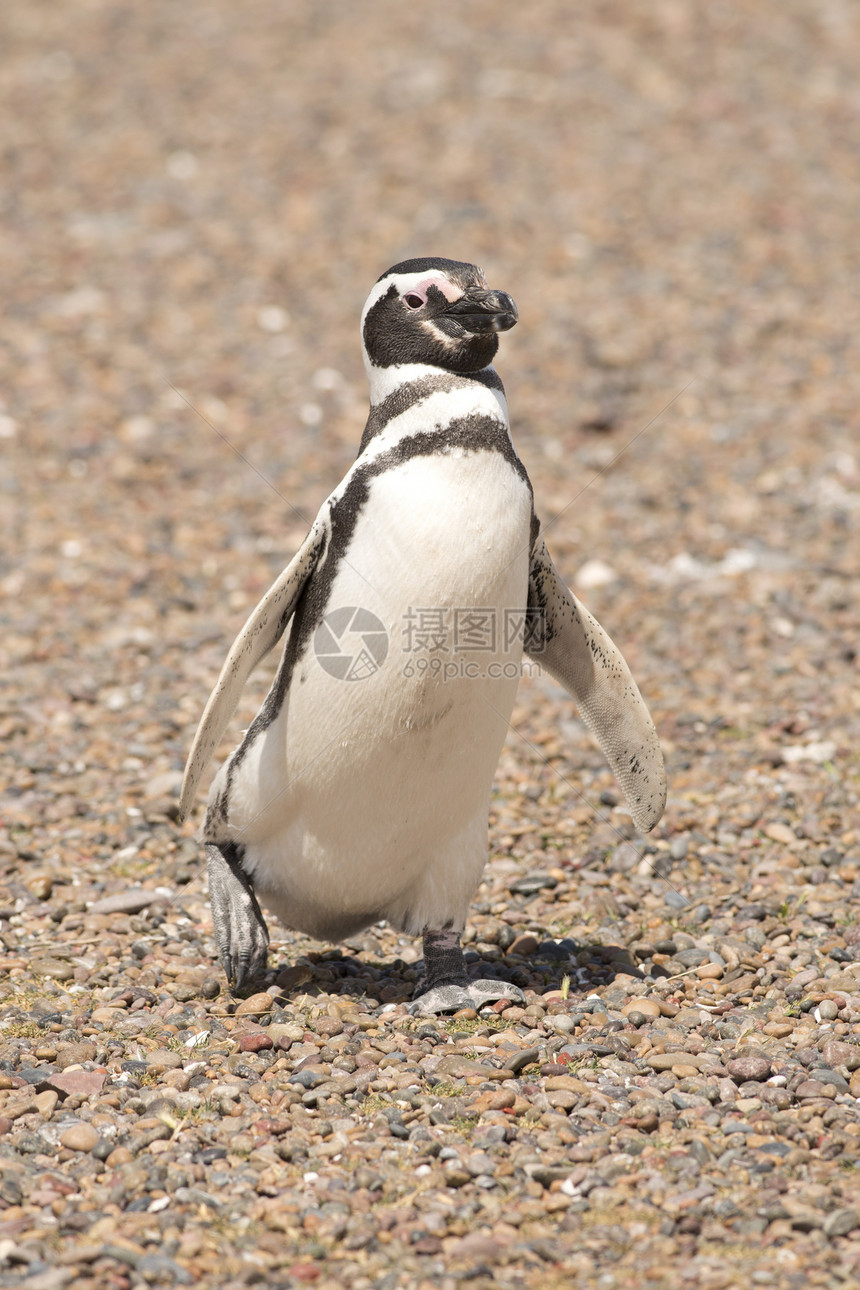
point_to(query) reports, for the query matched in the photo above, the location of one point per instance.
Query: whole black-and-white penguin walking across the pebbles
(362, 790)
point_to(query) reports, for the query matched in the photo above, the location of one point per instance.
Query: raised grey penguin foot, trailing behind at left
(240, 928)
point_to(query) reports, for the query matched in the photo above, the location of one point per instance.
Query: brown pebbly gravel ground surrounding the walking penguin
(197, 202)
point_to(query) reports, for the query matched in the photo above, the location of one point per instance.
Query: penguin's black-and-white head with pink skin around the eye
(438, 313)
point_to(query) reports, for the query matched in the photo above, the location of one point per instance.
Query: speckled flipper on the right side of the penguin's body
(572, 646)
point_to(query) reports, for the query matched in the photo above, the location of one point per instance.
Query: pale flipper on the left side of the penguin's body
(261, 634)
